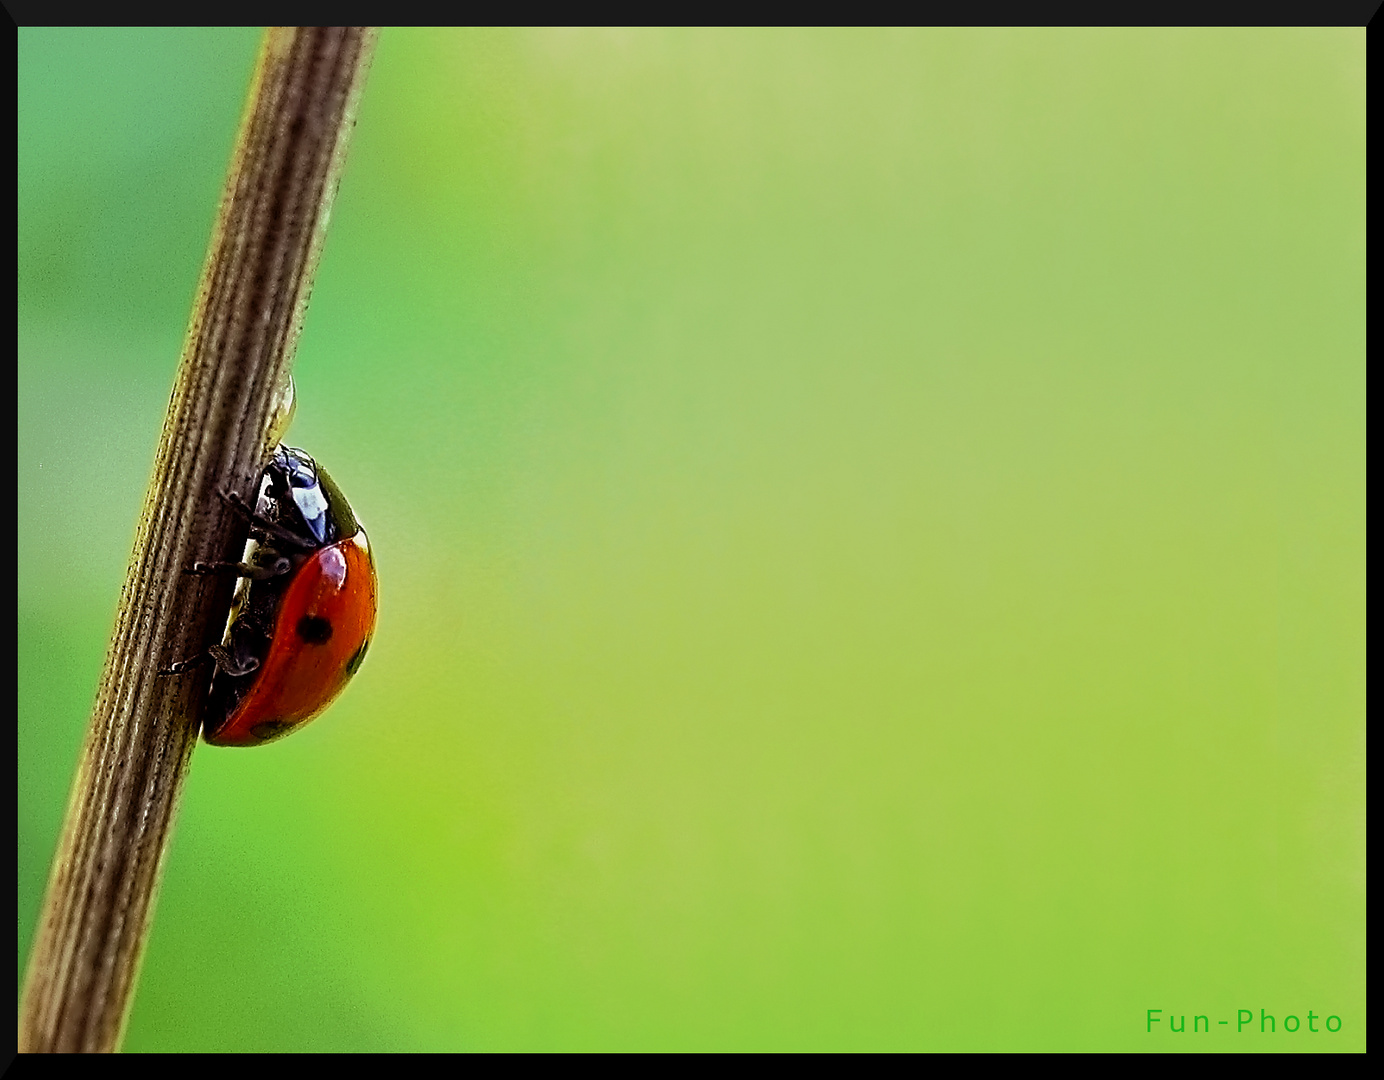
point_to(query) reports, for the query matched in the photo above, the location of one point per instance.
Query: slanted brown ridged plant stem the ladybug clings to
(217, 437)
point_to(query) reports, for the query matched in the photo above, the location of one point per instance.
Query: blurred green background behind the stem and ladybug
(871, 532)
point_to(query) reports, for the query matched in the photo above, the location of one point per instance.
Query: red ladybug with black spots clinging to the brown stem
(304, 610)
